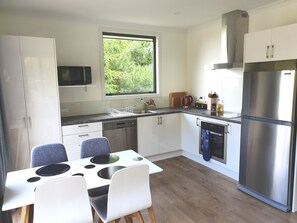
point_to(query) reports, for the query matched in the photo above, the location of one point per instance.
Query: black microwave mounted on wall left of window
(74, 75)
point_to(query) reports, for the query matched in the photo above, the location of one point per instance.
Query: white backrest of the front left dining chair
(62, 200)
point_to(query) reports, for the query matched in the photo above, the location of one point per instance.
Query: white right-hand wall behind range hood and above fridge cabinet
(203, 48)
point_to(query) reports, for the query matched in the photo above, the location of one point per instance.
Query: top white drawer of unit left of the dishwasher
(82, 128)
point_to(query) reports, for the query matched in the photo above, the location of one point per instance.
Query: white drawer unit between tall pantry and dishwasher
(73, 135)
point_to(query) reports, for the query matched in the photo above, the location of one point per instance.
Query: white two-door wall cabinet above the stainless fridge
(271, 45)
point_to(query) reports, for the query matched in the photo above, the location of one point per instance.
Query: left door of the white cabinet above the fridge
(256, 46)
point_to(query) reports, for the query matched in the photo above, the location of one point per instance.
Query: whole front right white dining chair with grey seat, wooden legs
(129, 193)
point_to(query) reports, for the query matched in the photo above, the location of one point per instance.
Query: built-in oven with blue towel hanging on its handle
(213, 141)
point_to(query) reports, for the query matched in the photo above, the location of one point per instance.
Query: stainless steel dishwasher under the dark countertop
(122, 134)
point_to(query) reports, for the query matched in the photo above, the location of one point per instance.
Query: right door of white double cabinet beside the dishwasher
(169, 132)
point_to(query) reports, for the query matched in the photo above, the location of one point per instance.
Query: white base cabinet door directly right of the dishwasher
(147, 135)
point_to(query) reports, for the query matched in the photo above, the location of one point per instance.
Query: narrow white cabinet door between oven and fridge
(233, 146)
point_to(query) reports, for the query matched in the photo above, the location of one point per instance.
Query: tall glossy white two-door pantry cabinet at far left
(29, 96)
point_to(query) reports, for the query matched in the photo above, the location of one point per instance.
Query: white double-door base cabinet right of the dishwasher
(158, 134)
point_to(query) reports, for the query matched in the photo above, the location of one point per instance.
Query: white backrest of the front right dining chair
(129, 192)
